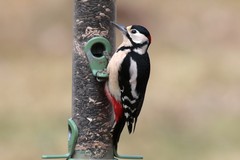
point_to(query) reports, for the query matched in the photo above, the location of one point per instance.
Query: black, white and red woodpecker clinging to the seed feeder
(129, 70)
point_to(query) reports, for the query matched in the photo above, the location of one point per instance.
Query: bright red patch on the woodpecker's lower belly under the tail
(117, 106)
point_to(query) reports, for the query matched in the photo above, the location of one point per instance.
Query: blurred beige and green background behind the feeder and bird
(192, 106)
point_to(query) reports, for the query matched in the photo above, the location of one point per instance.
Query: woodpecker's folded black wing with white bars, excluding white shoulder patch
(131, 105)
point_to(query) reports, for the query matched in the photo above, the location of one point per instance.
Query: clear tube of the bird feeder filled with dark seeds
(90, 108)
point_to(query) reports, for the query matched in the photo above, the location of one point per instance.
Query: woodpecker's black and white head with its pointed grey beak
(134, 35)
